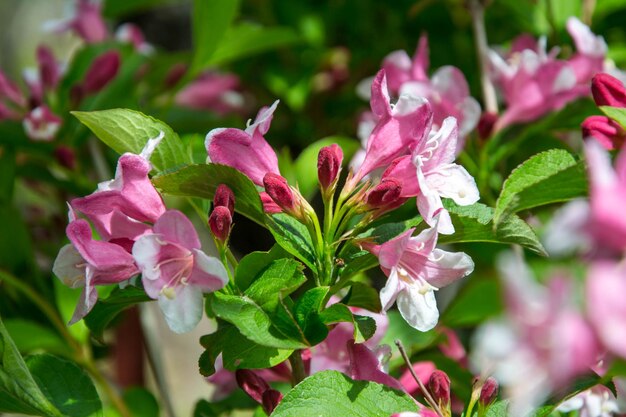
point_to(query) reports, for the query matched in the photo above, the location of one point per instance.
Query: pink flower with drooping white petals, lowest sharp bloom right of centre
(415, 270)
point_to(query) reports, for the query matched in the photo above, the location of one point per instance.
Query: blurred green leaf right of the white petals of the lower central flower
(477, 301)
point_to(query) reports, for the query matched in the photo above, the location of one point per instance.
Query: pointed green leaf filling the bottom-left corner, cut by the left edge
(19, 392)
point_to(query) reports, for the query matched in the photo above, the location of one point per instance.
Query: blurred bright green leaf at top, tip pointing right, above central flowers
(248, 39)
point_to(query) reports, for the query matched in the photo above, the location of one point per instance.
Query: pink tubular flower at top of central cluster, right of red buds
(399, 129)
